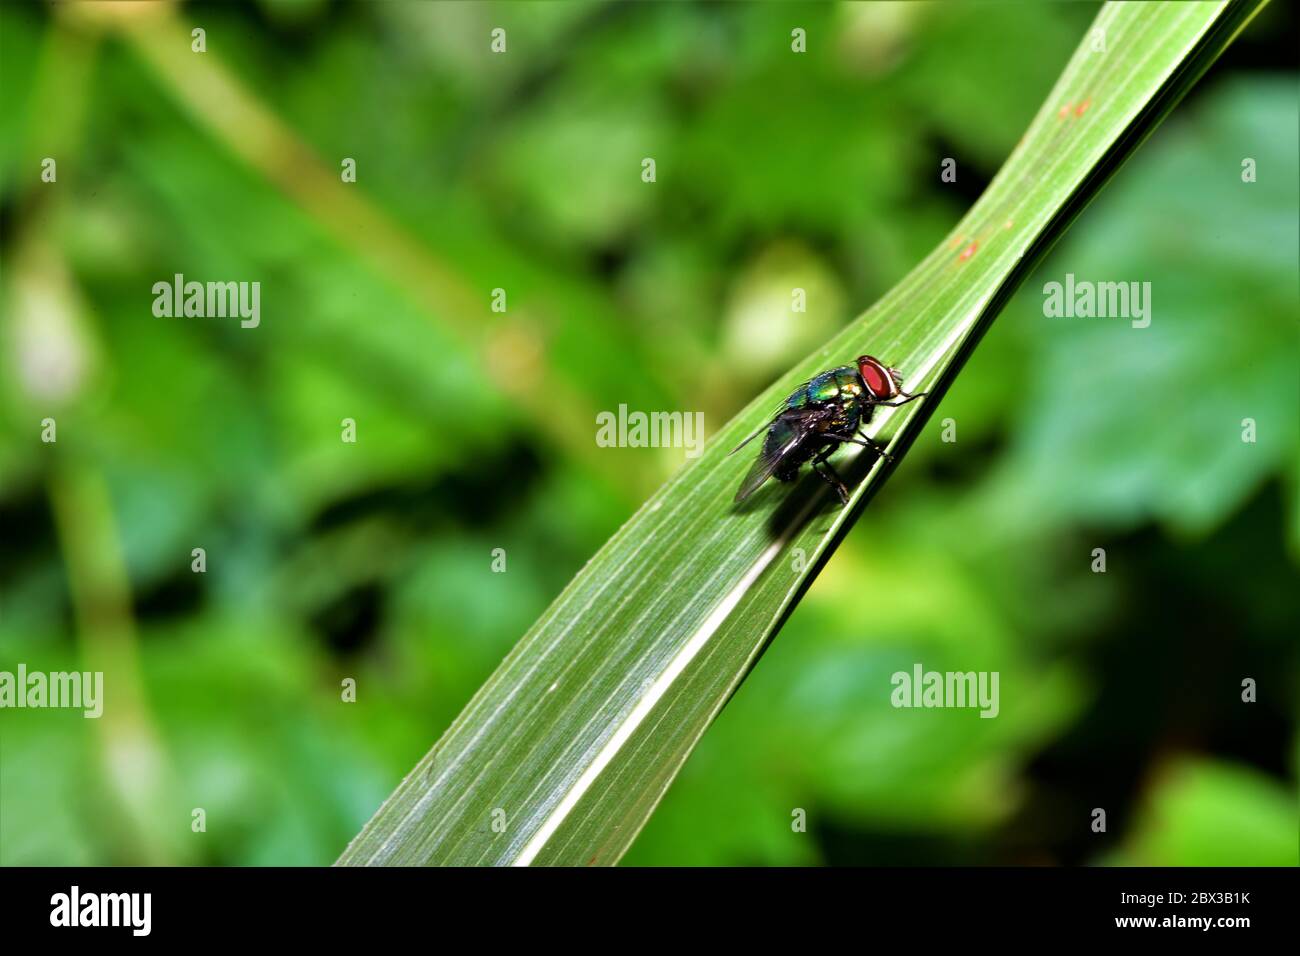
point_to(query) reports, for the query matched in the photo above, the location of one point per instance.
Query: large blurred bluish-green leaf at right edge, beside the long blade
(1120, 458)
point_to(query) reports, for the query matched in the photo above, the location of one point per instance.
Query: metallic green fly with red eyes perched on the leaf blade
(818, 417)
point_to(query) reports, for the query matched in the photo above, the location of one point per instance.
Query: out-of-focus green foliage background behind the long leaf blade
(476, 431)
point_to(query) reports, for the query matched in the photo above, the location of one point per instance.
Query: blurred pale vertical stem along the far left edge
(133, 759)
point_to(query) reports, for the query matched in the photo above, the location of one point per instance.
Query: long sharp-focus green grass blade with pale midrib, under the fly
(566, 751)
